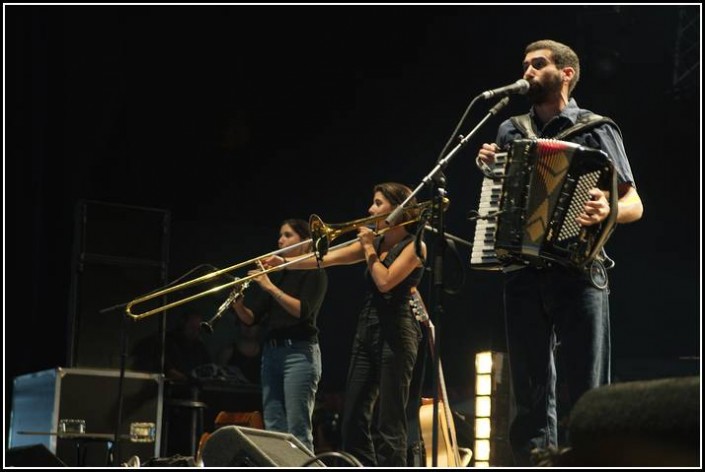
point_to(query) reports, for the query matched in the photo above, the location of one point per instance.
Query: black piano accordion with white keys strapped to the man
(530, 200)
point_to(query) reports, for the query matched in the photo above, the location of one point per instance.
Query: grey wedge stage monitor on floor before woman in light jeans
(237, 446)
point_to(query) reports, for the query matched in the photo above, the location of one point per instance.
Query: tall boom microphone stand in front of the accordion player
(436, 177)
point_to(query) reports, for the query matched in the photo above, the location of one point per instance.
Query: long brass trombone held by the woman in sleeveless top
(322, 235)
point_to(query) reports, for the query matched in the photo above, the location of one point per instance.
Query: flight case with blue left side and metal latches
(42, 399)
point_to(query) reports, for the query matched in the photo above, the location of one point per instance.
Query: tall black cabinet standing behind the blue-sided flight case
(119, 252)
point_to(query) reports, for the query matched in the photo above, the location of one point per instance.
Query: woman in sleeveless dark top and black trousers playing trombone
(387, 335)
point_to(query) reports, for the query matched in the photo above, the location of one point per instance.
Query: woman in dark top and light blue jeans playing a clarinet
(288, 306)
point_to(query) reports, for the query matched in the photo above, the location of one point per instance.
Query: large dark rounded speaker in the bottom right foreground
(654, 423)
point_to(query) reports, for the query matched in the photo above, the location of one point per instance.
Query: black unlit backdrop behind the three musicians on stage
(234, 118)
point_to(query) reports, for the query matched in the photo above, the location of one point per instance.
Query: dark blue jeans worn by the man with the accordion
(546, 308)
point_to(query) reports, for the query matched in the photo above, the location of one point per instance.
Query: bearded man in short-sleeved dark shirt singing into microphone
(549, 304)
